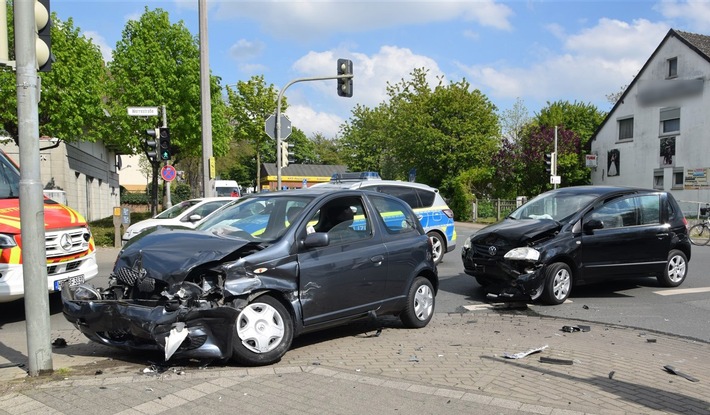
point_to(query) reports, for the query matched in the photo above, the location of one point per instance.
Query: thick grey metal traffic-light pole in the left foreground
(34, 255)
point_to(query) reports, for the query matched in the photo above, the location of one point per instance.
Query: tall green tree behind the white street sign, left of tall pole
(156, 63)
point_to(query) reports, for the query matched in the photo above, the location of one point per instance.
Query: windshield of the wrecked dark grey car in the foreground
(257, 218)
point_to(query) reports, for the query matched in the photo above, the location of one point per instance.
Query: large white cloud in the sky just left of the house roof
(596, 61)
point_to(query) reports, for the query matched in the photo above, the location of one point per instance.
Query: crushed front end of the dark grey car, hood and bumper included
(161, 299)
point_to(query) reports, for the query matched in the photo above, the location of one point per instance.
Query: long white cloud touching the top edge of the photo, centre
(313, 19)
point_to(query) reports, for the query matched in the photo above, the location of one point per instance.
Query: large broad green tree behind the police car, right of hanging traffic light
(448, 134)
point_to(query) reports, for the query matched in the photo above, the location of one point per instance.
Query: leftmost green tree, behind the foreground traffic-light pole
(71, 104)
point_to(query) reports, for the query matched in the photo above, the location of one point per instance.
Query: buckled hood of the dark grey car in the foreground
(169, 254)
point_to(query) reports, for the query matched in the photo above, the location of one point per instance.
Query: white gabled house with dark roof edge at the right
(657, 135)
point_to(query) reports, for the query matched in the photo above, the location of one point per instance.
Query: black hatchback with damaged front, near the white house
(576, 235)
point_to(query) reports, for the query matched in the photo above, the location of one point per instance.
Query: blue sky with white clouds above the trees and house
(536, 51)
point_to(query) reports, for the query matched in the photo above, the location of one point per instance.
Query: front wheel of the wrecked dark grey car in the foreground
(263, 332)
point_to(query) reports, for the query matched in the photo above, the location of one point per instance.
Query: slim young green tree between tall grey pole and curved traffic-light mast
(250, 104)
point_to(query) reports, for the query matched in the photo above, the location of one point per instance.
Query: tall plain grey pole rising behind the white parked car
(207, 179)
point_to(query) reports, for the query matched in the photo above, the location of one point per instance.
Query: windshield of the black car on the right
(554, 205)
